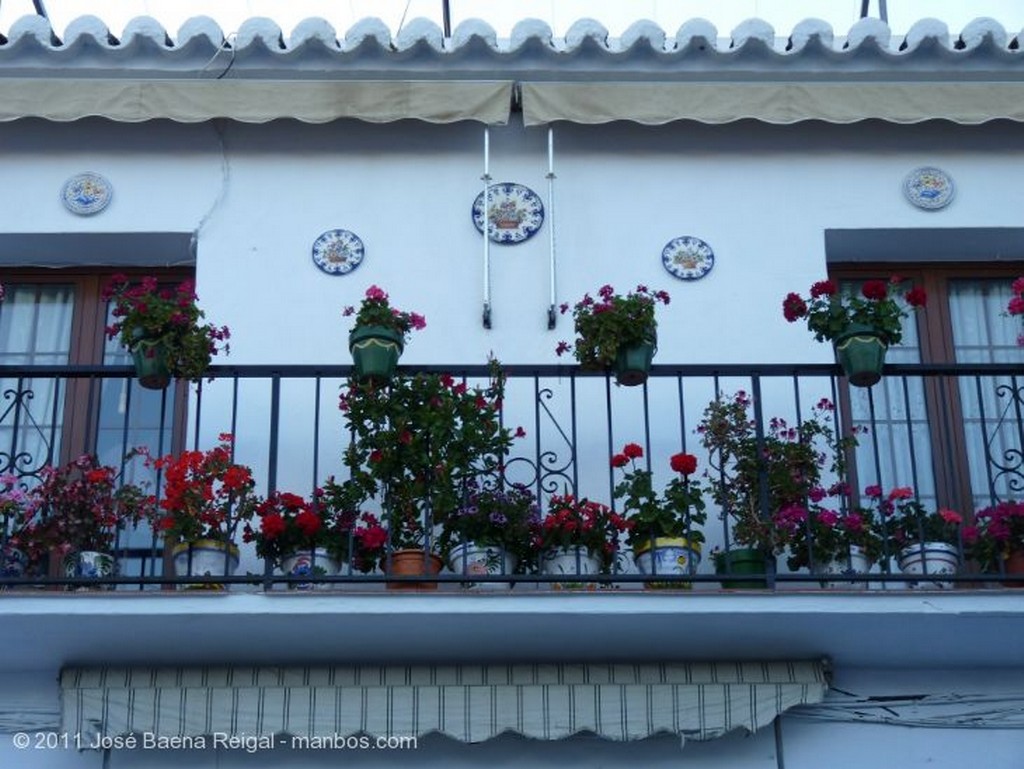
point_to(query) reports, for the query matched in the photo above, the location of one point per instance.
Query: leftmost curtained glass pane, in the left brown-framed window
(35, 329)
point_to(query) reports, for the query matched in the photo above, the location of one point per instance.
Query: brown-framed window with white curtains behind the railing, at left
(57, 318)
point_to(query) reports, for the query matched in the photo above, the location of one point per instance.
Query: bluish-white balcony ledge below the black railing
(857, 629)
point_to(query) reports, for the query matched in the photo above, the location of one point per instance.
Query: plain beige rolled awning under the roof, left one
(255, 101)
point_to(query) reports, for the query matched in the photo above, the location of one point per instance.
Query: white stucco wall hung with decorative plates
(259, 196)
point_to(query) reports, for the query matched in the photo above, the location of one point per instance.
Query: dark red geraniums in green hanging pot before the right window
(861, 328)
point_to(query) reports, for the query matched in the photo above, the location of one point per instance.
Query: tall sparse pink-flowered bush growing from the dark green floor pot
(754, 478)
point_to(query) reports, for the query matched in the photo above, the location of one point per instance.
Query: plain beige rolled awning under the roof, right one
(656, 104)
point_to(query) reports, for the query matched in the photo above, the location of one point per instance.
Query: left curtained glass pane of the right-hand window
(897, 449)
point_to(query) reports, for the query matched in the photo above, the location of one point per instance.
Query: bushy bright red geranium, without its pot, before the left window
(206, 494)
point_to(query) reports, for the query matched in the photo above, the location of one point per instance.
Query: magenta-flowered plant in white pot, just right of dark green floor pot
(829, 541)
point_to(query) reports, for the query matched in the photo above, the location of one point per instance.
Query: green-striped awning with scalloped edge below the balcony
(467, 703)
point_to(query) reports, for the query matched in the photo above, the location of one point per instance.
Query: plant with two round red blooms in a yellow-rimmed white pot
(664, 531)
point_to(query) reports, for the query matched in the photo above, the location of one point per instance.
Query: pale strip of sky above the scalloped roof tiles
(617, 16)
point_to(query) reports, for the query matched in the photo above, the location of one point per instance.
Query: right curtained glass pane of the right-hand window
(993, 406)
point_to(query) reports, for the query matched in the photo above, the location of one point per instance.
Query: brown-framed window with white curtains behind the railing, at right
(958, 442)
